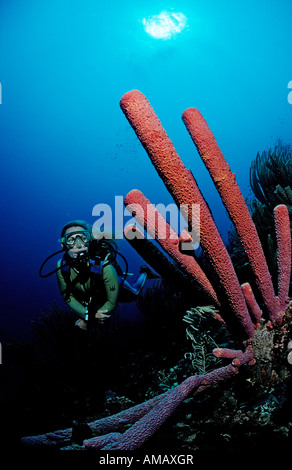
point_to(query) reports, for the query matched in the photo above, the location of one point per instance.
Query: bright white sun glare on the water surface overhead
(165, 25)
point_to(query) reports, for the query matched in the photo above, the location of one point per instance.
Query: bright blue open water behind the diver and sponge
(66, 146)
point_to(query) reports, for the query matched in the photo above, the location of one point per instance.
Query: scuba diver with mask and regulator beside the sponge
(89, 276)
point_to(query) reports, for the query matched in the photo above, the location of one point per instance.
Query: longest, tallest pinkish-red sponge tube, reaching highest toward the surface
(184, 190)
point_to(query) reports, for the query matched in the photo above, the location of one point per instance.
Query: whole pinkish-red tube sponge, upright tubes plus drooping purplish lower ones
(237, 305)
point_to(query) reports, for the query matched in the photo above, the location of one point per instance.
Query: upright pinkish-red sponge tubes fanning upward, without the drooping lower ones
(184, 189)
